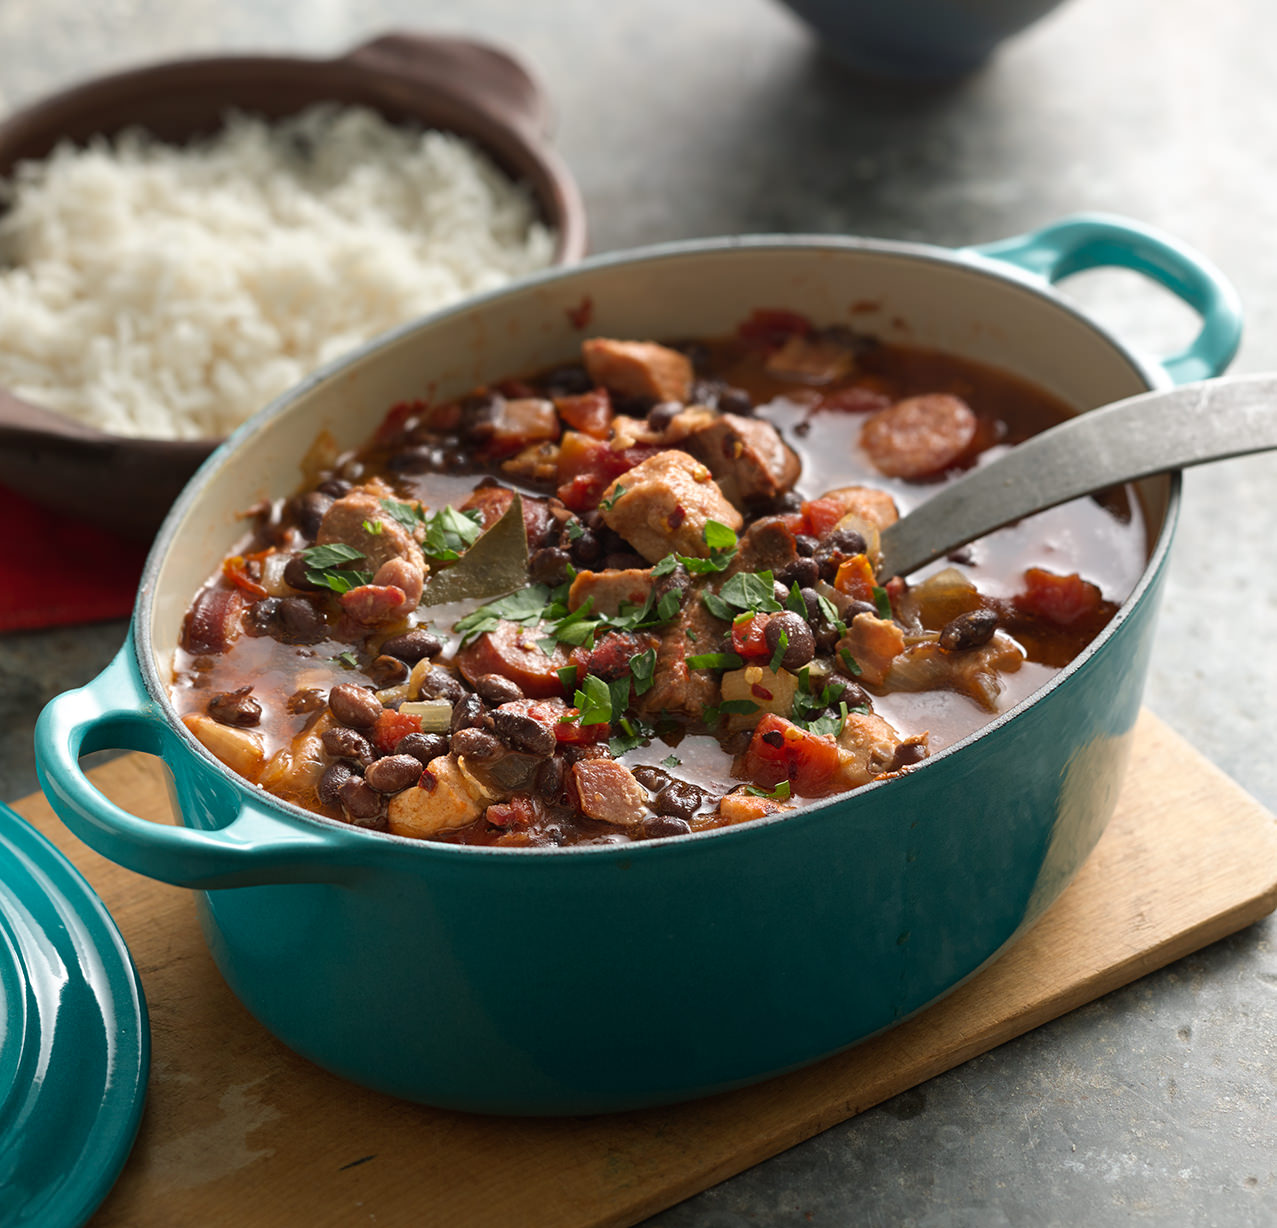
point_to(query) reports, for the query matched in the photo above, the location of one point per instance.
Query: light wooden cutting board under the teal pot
(241, 1130)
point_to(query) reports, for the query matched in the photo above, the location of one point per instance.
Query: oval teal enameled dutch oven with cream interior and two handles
(601, 978)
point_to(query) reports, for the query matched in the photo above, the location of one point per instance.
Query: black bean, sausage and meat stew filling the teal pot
(634, 597)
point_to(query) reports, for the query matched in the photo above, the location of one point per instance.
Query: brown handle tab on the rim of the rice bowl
(485, 76)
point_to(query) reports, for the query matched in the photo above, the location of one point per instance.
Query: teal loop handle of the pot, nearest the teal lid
(247, 848)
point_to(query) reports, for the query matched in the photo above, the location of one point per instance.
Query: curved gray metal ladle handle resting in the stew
(1151, 433)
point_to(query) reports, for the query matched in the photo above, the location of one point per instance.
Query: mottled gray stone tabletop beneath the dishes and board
(1155, 1106)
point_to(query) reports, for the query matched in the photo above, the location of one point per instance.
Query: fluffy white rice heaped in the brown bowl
(173, 292)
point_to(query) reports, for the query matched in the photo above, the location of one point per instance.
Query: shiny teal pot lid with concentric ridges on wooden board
(75, 1045)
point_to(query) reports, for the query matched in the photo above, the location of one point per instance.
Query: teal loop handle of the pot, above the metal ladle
(1099, 241)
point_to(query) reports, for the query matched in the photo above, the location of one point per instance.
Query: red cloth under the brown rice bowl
(56, 570)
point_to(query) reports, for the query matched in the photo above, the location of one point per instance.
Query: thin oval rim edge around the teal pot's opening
(971, 260)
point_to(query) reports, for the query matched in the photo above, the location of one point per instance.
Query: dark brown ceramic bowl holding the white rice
(465, 87)
